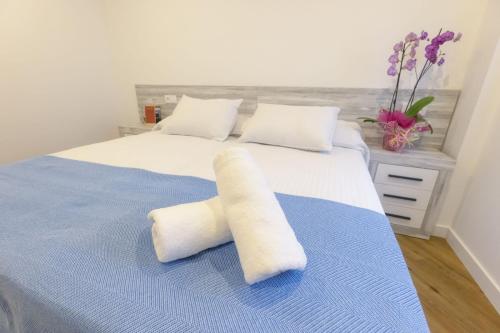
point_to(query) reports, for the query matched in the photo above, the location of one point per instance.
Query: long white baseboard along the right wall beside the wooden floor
(480, 275)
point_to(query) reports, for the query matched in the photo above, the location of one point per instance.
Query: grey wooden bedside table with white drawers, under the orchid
(409, 185)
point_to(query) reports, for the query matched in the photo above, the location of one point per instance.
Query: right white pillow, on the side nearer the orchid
(302, 127)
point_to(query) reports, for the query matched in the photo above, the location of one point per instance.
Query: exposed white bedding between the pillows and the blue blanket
(341, 175)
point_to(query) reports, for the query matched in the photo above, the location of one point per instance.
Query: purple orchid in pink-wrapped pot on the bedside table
(404, 127)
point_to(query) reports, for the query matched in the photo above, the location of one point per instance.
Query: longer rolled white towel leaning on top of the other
(266, 243)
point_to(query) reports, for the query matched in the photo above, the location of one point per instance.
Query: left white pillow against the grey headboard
(208, 118)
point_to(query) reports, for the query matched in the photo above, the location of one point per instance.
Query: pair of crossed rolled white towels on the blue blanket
(246, 210)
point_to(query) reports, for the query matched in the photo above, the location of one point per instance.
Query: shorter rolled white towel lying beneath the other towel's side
(183, 230)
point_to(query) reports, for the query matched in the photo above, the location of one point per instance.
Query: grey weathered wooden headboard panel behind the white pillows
(354, 102)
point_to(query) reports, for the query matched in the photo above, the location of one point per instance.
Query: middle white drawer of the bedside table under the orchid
(403, 196)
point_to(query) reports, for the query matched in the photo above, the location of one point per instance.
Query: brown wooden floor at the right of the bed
(451, 299)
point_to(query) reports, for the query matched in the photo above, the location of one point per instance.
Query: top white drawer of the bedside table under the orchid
(406, 176)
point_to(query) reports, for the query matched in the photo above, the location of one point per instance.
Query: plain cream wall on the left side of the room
(56, 83)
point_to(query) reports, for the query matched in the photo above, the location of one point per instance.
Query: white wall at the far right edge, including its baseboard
(475, 233)
